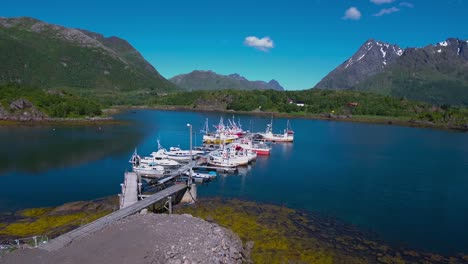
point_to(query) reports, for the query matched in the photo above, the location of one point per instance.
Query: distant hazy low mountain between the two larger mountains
(209, 80)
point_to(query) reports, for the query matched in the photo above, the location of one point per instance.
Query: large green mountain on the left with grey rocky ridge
(36, 53)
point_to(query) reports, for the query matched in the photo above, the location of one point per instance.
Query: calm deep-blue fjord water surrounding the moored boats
(407, 185)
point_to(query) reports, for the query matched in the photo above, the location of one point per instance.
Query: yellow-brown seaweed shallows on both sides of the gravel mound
(271, 233)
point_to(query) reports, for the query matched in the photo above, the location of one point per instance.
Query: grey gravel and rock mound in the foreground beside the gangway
(146, 238)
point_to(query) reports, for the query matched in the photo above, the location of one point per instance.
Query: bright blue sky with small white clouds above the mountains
(306, 39)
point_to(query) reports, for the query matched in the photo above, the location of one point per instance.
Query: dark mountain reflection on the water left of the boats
(37, 149)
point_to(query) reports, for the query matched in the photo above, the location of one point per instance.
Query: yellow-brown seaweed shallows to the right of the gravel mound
(284, 235)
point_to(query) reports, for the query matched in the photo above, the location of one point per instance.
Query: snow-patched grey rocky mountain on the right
(436, 73)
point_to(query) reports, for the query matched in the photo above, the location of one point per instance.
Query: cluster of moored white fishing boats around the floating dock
(200, 164)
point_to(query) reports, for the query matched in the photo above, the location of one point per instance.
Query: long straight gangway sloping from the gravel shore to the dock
(63, 240)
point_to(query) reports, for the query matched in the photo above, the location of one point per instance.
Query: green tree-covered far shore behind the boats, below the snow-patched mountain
(315, 102)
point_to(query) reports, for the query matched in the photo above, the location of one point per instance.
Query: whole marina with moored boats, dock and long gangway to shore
(165, 178)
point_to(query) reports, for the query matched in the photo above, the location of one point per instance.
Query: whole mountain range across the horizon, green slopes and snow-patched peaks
(39, 54)
